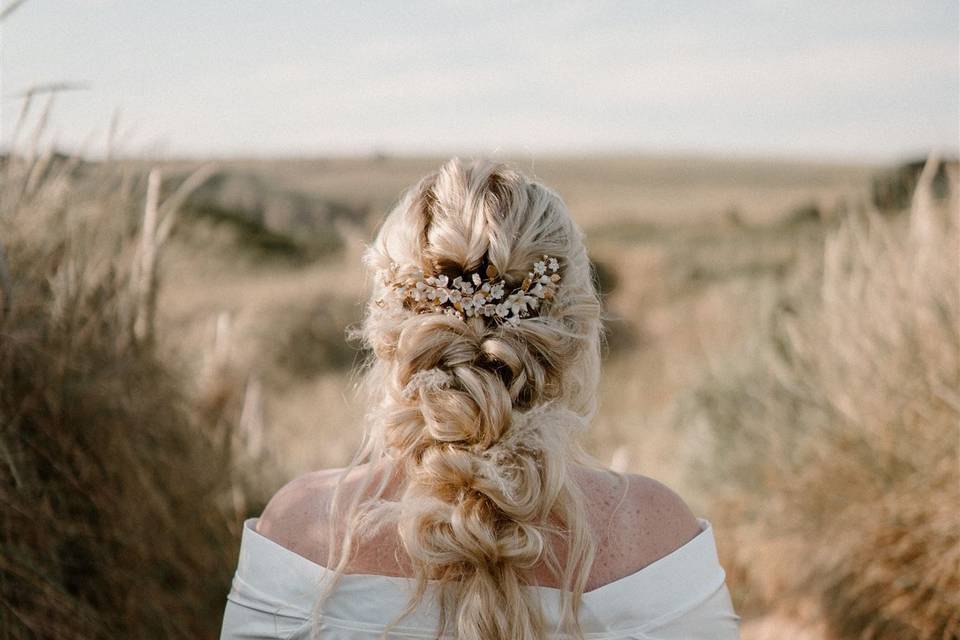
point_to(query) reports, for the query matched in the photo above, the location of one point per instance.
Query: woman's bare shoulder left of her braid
(296, 515)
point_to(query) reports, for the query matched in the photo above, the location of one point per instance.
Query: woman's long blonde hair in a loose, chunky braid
(480, 418)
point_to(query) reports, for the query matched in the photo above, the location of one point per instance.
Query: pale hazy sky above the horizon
(820, 80)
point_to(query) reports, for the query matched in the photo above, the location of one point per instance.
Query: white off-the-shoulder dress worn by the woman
(681, 596)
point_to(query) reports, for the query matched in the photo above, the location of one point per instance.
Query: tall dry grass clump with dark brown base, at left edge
(120, 481)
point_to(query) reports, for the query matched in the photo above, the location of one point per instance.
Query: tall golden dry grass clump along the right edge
(833, 454)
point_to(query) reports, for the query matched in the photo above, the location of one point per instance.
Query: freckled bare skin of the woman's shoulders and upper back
(637, 522)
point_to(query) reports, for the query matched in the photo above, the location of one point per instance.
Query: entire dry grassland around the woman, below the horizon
(780, 354)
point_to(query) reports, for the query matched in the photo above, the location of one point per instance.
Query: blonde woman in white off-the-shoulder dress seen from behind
(470, 510)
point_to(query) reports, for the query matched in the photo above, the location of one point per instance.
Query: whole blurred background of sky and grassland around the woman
(769, 192)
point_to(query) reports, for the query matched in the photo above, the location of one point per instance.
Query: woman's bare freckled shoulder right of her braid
(647, 522)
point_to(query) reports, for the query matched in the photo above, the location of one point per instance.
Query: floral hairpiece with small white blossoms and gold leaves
(471, 295)
